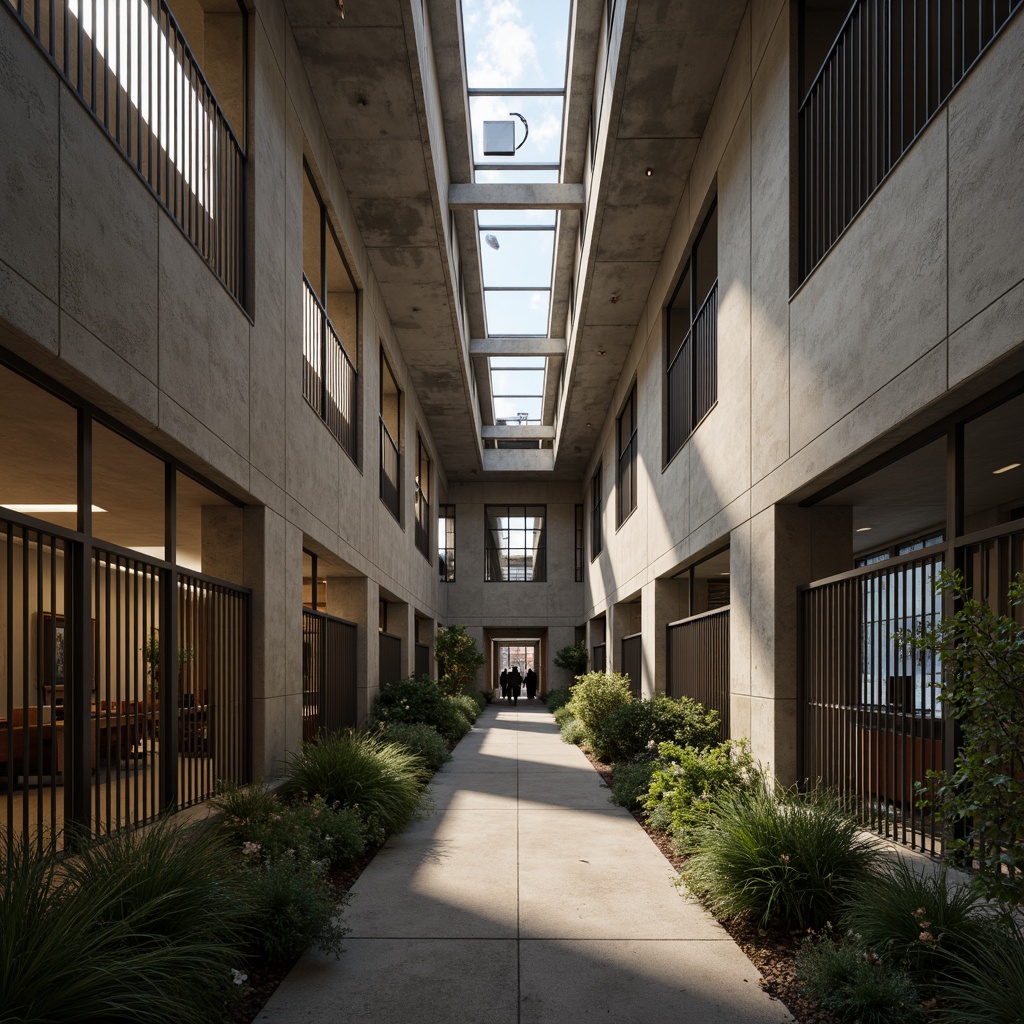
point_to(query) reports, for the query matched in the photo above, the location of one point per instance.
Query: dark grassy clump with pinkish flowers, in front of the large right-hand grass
(918, 919)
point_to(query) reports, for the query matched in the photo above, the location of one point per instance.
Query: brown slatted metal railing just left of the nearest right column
(698, 662)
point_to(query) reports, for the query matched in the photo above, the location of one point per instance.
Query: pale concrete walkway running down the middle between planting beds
(527, 898)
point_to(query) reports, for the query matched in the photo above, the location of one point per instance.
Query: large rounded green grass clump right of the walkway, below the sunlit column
(778, 856)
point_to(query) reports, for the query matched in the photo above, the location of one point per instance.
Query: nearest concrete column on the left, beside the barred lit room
(273, 570)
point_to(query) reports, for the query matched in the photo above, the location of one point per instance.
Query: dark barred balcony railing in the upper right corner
(893, 66)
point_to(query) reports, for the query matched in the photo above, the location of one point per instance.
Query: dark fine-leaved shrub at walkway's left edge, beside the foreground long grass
(293, 908)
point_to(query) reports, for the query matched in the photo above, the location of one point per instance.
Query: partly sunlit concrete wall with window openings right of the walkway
(916, 311)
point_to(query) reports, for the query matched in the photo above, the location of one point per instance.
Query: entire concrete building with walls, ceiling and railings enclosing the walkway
(785, 346)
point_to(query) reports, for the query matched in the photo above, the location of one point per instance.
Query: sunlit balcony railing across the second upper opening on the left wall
(330, 382)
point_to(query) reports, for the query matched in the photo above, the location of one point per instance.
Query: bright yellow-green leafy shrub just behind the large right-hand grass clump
(686, 781)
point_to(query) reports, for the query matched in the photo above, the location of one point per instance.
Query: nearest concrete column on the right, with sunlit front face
(788, 547)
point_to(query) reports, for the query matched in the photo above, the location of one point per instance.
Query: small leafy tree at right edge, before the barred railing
(984, 689)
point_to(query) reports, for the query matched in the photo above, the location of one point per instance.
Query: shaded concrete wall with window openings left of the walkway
(101, 290)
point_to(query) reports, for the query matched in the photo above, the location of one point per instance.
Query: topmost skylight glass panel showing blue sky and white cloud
(516, 45)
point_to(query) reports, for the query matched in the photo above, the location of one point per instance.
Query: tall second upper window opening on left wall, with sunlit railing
(330, 323)
